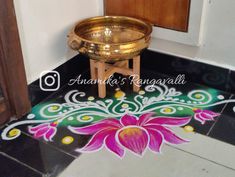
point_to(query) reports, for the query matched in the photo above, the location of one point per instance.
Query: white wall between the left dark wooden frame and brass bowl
(43, 26)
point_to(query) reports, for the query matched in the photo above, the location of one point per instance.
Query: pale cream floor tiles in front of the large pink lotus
(182, 161)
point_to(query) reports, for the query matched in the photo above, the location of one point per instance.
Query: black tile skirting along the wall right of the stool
(195, 71)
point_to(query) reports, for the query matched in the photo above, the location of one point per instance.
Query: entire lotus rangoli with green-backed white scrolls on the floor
(134, 122)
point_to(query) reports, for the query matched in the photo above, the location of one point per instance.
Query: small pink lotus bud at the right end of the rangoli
(204, 115)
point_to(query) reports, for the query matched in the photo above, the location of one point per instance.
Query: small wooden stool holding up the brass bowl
(102, 71)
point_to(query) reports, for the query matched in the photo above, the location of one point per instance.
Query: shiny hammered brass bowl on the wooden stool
(110, 38)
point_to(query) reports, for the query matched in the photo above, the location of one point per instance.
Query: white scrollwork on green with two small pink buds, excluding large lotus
(78, 110)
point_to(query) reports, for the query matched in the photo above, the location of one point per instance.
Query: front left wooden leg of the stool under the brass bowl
(101, 77)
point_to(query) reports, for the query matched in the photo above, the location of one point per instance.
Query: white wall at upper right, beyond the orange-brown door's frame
(218, 45)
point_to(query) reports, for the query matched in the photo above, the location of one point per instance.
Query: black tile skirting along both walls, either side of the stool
(196, 72)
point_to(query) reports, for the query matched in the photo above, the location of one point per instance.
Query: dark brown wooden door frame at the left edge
(15, 89)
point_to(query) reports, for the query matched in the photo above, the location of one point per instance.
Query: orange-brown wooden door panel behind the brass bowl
(171, 14)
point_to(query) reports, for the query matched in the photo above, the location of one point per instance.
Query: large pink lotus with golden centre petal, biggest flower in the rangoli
(135, 134)
